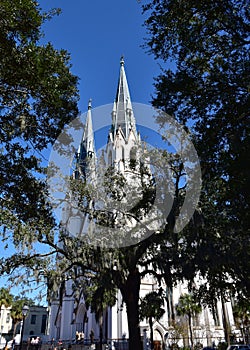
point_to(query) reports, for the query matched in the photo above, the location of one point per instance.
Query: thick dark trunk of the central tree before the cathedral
(130, 293)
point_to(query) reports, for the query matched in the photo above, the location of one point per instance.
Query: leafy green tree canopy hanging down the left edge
(38, 96)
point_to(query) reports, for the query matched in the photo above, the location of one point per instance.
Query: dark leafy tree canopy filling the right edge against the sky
(207, 46)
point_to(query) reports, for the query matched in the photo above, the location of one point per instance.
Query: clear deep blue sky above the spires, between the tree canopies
(96, 33)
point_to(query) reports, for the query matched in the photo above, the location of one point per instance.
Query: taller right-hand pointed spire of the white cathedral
(122, 113)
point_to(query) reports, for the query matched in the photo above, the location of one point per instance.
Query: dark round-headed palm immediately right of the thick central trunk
(151, 308)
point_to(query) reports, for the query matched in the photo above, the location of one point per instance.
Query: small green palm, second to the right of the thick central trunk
(187, 305)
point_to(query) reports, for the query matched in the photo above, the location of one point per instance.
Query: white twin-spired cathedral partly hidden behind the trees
(72, 321)
